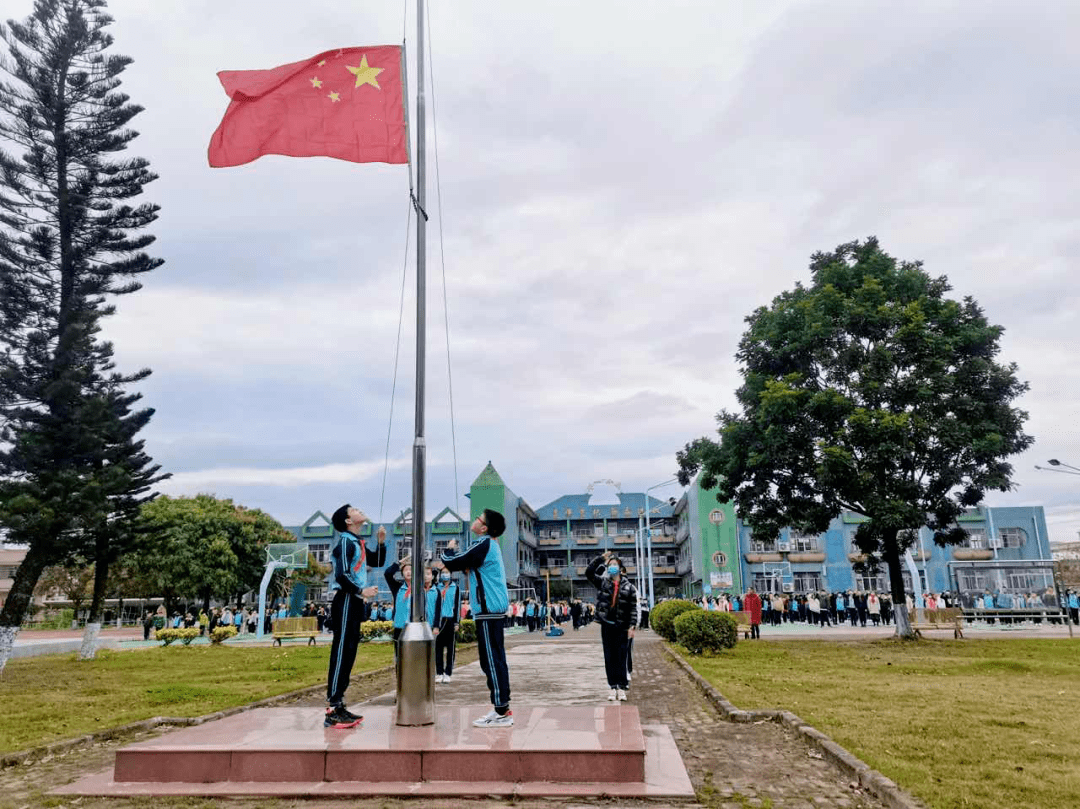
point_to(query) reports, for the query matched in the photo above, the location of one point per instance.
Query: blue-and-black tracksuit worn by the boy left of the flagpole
(350, 561)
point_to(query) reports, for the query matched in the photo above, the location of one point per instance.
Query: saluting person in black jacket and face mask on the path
(617, 610)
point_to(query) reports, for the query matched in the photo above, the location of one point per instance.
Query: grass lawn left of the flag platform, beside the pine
(56, 697)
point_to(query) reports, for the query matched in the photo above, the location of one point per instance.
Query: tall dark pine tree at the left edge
(70, 242)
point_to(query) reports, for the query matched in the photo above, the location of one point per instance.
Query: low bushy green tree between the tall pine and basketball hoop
(201, 547)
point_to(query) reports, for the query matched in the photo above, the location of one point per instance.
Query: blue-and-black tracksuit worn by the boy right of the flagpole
(488, 583)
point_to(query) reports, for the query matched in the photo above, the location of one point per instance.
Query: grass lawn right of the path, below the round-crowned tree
(957, 723)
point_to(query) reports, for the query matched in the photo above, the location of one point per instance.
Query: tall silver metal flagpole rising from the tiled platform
(416, 658)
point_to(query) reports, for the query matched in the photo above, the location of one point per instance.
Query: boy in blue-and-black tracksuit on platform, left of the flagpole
(350, 560)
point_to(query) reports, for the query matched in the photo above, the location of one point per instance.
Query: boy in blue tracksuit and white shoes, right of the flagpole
(488, 584)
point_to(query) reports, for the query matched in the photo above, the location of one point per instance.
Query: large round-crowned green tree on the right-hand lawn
(869, 392)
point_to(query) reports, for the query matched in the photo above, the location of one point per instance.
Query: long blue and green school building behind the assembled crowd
(699, 547)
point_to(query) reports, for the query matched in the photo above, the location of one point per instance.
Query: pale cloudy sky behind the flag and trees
(622, 185)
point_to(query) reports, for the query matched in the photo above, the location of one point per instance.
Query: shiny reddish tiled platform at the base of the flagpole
(550, 751)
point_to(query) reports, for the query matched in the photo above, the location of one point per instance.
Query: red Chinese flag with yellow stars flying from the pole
(346, 104)
